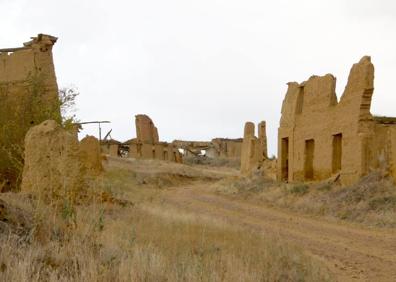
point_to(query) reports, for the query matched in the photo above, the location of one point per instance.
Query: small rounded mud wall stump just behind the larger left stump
(90, 155)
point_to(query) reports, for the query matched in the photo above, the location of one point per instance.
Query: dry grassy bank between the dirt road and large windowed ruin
(371, 201)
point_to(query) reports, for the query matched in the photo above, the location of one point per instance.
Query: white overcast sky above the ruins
(202, 68)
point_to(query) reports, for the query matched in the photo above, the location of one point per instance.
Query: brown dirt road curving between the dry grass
(351, 253)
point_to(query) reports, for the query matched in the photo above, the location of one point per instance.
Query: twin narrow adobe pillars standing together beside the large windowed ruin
(254, 149)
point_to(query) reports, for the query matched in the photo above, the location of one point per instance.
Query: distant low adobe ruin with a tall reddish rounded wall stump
(146, 145)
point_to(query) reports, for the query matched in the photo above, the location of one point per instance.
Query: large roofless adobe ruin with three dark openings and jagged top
(320, 137)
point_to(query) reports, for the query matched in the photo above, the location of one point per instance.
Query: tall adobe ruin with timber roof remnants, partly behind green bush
(29, 96)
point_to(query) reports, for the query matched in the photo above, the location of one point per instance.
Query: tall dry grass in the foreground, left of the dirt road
(147, 241)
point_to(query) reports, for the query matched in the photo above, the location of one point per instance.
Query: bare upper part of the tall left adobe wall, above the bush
(29, 73)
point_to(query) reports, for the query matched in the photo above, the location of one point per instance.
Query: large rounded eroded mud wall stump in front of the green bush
(52, 169)
